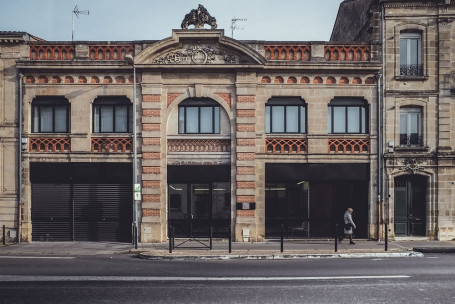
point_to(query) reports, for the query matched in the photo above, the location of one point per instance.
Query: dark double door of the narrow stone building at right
(410, 205)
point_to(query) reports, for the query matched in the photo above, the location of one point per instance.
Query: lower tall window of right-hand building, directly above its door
(411, 127)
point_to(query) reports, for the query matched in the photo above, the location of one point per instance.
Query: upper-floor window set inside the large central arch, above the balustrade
(199, 116)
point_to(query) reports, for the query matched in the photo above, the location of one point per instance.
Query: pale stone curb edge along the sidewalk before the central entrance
(147, 256)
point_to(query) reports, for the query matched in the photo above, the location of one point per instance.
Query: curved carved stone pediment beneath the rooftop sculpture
(199, 47)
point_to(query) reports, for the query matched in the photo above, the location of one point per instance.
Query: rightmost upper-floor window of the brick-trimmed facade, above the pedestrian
(347, 115)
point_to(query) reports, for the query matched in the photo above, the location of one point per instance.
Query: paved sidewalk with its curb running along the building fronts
(271, 249)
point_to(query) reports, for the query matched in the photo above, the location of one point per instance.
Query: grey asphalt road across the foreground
(125, 279)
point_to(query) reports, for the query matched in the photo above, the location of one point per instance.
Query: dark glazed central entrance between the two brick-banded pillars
(199, 198)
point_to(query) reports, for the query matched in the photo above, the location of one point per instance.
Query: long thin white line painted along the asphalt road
(32, 278)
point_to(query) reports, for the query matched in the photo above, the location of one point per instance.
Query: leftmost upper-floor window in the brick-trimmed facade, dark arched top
(50, 114)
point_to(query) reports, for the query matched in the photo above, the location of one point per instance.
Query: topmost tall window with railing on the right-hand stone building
(411, 54)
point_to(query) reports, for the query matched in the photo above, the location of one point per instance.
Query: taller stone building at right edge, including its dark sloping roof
(417, 43)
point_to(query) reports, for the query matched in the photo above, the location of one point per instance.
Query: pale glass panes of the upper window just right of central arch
(285, 119)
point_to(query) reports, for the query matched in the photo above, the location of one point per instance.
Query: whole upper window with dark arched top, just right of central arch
(285, 115)
